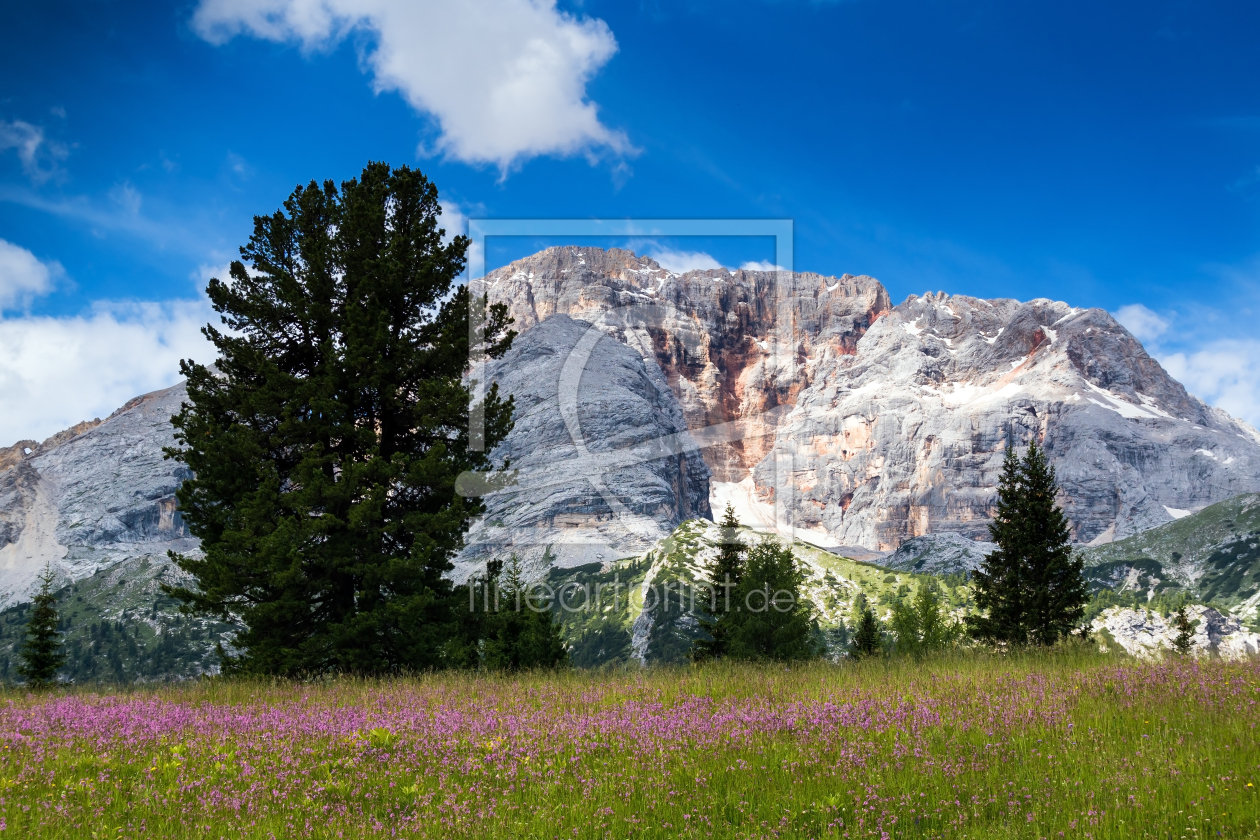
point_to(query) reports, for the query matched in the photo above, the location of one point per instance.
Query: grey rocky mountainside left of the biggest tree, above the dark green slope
(91, 498)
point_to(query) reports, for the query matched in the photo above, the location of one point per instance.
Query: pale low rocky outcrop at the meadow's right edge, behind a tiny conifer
(1150, 635)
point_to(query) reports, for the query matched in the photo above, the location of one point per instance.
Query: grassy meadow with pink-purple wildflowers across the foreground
(1065, 745)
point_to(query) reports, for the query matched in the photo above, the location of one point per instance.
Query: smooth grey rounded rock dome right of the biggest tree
(605, 464)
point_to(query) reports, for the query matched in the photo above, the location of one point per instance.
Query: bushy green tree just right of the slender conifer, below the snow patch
(769, 619)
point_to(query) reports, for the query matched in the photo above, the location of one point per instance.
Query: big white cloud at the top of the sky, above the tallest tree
(506, 80)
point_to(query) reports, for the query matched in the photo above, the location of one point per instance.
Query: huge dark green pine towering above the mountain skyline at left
(327, 439)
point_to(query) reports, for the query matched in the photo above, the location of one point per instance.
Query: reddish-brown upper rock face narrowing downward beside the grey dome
(733, 346)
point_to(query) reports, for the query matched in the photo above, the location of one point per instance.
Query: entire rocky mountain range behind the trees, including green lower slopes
(648, 400)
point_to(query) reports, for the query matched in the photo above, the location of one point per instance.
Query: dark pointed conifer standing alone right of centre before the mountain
(1033, 587)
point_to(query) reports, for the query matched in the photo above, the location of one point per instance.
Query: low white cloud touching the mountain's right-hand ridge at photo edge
(1225, 373)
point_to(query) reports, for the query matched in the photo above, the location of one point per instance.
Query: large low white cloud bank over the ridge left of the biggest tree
(56, 372)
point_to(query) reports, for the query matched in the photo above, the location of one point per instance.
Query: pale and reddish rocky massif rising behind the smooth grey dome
(849, 421)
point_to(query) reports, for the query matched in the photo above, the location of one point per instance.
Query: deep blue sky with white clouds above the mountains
(1102, 154)
